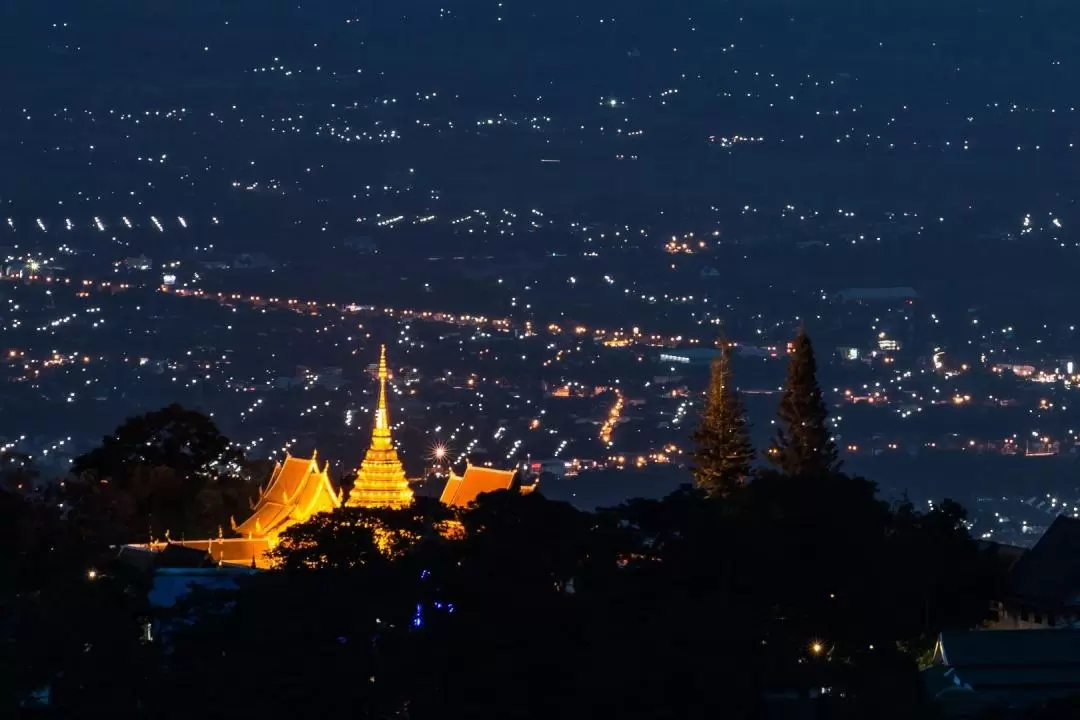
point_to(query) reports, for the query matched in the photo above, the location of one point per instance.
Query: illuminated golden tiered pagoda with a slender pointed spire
(381, 482)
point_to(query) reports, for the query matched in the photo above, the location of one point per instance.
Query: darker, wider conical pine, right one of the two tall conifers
(804, 444)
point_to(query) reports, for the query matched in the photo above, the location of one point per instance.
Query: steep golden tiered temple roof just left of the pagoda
(298, 491)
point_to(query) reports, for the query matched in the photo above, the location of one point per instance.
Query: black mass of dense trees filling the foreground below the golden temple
(792, 593)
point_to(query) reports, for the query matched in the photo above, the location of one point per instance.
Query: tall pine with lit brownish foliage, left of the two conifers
(724, 454)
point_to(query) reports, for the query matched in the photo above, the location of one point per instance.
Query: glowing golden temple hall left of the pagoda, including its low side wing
(299, 490)
